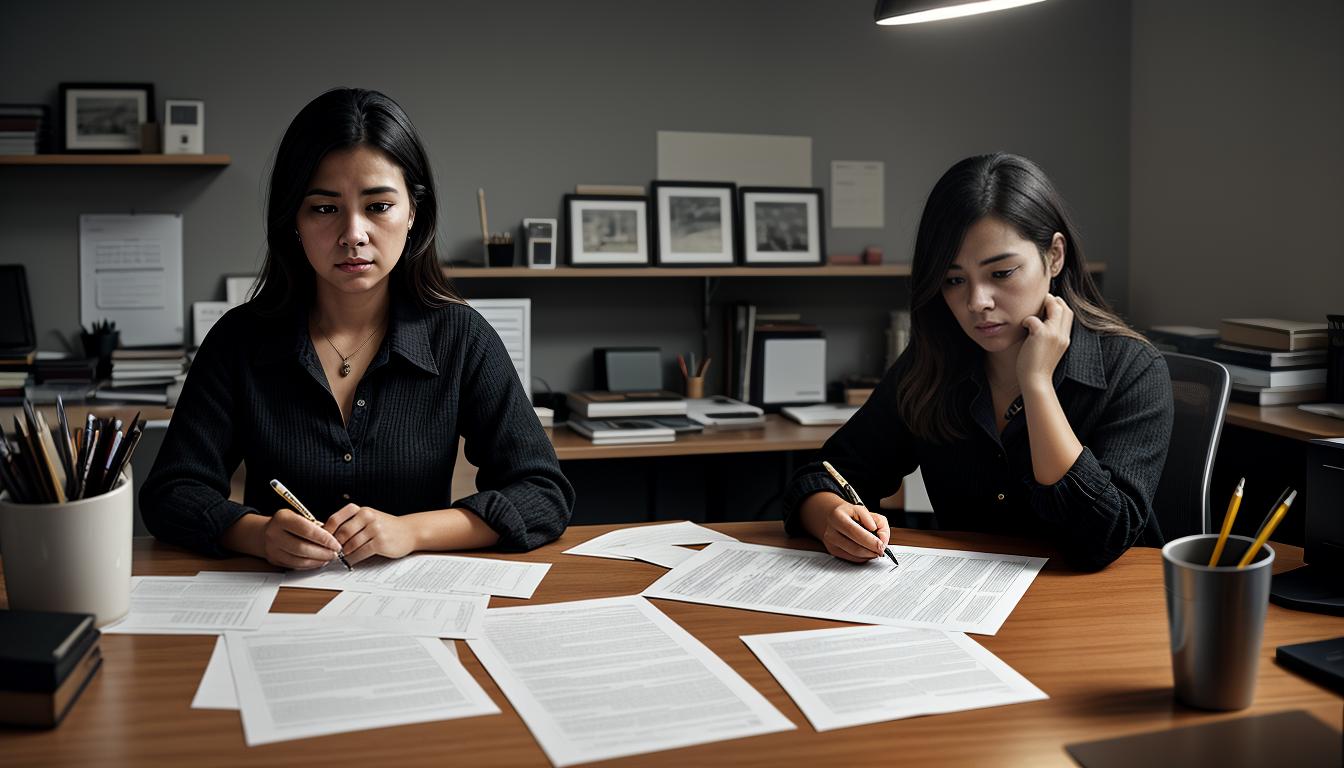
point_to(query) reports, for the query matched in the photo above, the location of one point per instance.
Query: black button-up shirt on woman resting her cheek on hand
(1118, 396)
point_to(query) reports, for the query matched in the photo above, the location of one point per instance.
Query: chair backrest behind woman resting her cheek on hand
(1200, 395)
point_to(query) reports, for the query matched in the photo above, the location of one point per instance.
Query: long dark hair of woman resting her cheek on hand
(1011, 189)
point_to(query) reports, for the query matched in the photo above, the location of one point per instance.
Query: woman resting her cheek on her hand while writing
(1029, 407)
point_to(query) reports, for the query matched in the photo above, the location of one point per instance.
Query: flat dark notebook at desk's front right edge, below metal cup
(1284, 740)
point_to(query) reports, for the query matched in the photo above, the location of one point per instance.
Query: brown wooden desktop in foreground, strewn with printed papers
(1096, 644)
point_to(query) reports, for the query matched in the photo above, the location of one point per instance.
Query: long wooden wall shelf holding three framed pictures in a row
(829, 271)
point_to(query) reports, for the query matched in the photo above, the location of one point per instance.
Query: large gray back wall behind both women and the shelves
(528, 99)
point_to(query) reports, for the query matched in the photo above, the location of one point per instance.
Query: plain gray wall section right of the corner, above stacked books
(1237, 161)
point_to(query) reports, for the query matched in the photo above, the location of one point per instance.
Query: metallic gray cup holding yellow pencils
(1217, 619)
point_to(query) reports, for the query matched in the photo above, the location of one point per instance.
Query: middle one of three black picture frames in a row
(694, 224)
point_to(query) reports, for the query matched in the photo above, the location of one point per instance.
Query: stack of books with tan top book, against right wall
(1272, 361)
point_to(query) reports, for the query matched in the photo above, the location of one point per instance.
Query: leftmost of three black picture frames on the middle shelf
(607, 231)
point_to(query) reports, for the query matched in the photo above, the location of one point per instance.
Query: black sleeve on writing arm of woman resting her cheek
(873, 451)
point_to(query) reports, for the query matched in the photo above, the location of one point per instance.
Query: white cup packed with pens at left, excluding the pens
(72, 558)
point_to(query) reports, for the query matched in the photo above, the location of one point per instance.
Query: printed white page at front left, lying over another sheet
(298, 684)
